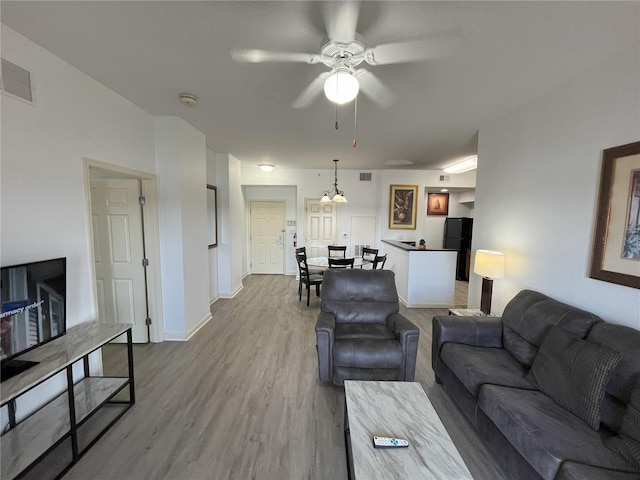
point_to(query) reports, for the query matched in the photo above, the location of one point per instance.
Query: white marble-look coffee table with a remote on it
(401, 410)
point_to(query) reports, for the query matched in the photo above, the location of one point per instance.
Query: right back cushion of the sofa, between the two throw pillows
(625, 340)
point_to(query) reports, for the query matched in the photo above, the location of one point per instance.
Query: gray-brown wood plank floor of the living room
(241, 399)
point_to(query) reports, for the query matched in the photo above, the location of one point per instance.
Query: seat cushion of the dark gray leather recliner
(367, 353)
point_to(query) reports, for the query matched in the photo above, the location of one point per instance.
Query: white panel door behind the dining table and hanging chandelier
(321, 228)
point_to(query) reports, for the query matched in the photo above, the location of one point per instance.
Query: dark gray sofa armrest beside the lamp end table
(476, 331)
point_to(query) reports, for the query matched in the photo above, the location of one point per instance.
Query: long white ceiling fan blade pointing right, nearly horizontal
(409, 51)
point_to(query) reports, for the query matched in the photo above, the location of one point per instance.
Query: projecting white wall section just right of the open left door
(181, 166)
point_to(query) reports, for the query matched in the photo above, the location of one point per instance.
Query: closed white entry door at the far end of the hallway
(267, 237)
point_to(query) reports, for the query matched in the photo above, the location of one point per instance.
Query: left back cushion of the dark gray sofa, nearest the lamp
(528, 316)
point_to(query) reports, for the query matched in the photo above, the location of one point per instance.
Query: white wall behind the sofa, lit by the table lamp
(537, 187)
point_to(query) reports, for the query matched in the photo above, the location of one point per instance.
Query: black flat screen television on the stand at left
(32, 310)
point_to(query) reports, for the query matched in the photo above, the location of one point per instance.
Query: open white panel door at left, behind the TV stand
(119, 251)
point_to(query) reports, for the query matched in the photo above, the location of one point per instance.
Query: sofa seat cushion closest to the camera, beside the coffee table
(545, 433)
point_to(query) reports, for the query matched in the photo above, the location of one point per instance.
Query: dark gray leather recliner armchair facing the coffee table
(360, 333)
